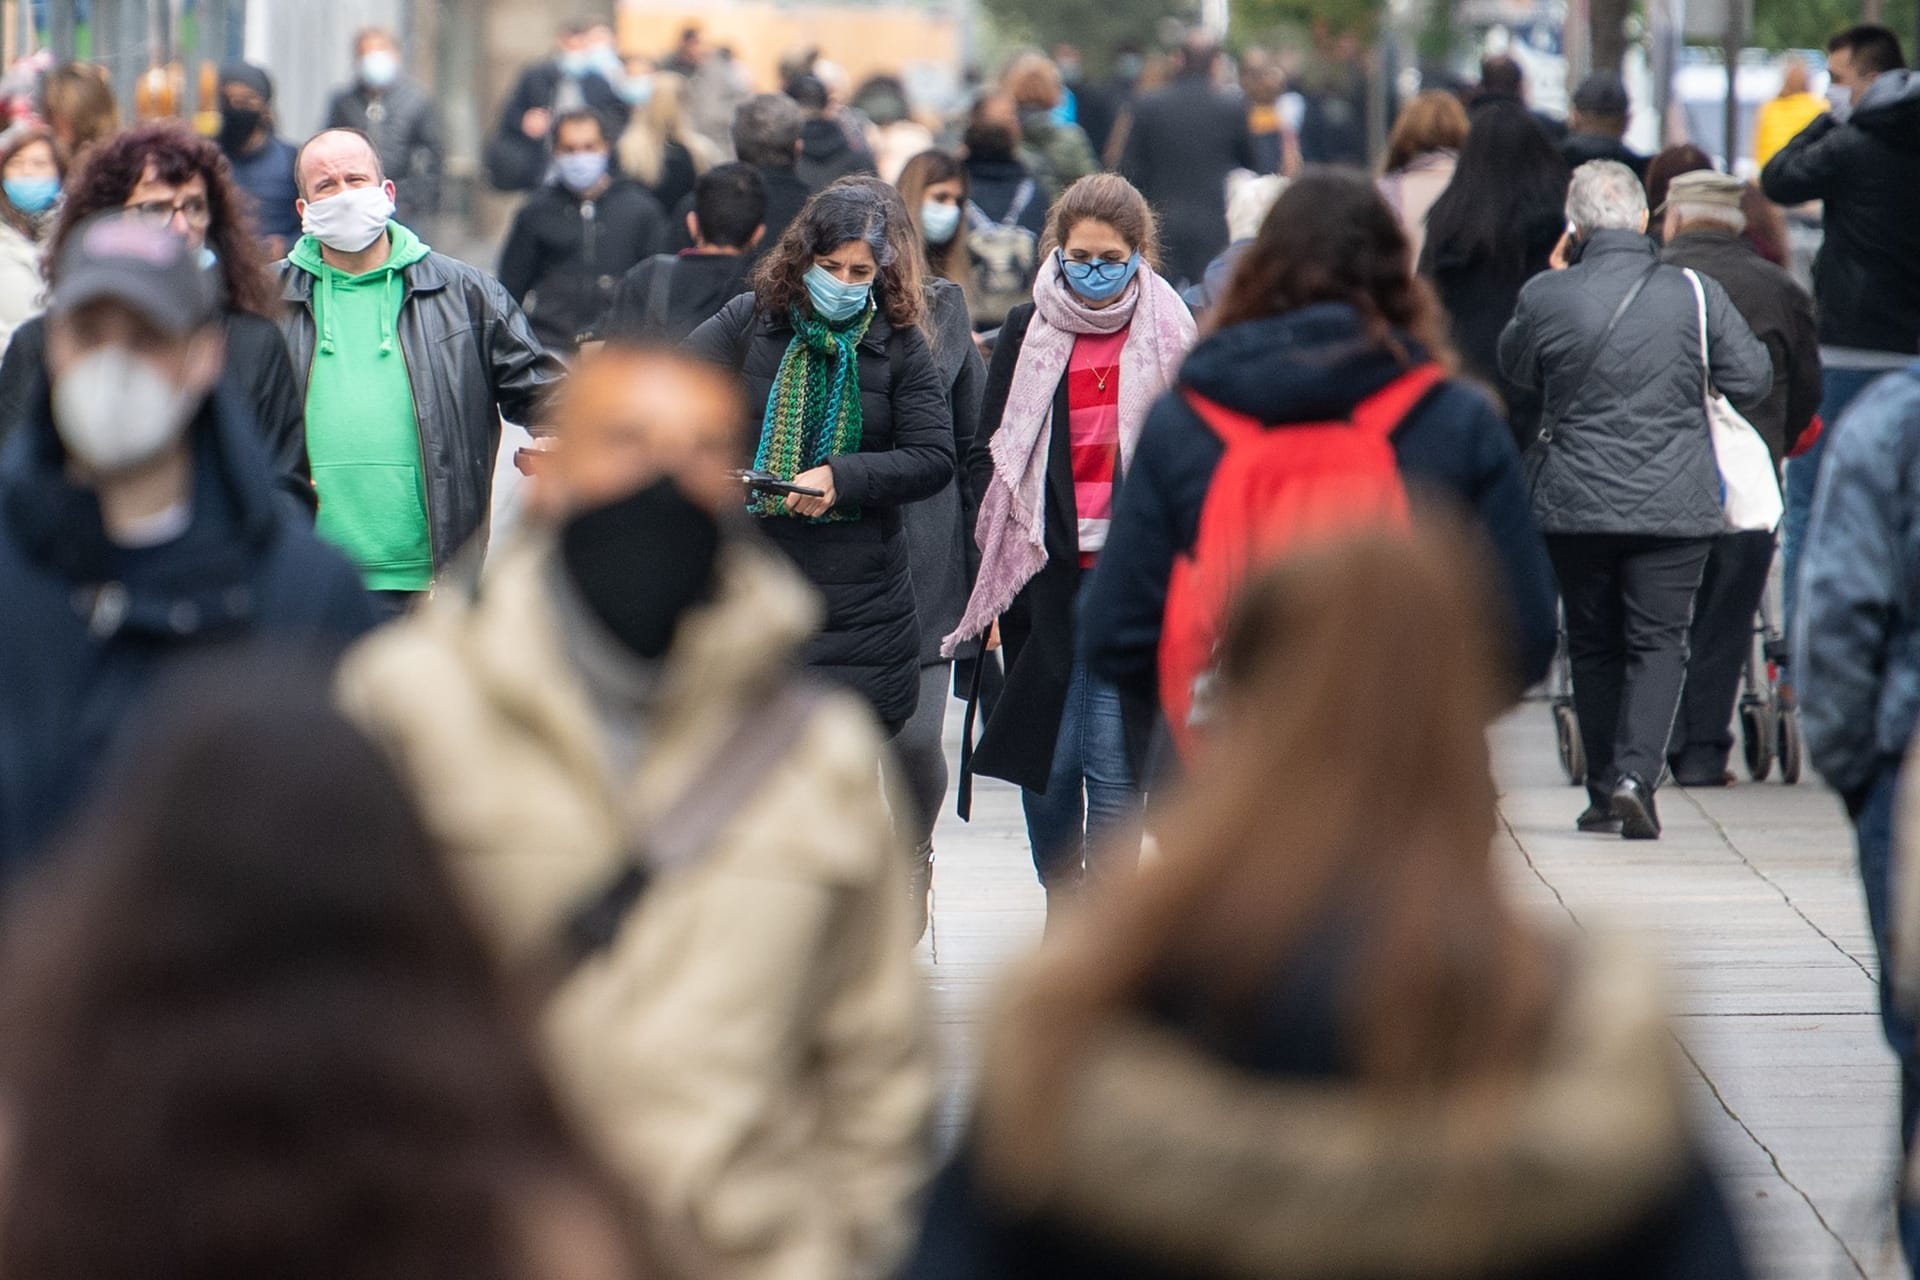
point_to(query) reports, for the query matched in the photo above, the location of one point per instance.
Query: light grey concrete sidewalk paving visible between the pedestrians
(1754, 901)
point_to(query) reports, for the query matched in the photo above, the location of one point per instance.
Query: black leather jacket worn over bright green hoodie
(473, 362)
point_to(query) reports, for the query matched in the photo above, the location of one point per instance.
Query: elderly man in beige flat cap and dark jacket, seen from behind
(1704, 233)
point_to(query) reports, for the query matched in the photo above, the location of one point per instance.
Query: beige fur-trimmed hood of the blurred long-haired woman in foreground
(1178, 1156)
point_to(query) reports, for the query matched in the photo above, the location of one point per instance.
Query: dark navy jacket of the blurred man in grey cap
(89, 627)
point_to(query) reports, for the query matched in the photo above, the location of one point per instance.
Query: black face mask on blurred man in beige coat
(644, 561)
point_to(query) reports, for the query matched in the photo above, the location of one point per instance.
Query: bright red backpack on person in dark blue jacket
(1274, 492)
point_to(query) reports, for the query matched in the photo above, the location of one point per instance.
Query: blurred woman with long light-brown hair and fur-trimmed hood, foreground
(1320, 1041)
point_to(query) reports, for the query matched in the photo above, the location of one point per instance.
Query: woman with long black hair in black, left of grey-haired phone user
(1491, 233)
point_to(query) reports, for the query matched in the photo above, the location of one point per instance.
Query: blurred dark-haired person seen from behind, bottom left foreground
(247, 1031)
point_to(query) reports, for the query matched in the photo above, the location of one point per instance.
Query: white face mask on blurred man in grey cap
(116, 412)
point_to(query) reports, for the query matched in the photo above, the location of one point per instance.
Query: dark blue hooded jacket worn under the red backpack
(1310, 366)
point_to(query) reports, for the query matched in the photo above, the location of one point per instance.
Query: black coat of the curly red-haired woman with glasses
(258, 373)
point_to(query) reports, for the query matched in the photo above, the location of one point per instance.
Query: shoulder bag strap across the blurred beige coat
(688, 828)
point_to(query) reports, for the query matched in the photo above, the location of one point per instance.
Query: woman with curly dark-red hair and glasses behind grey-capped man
(181, 181)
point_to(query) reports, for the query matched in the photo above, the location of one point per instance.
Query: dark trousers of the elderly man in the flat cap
(1719, 646)
